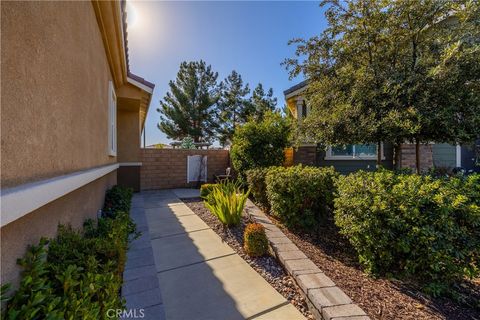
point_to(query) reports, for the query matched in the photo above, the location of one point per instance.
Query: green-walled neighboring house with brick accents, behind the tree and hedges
(350, 158)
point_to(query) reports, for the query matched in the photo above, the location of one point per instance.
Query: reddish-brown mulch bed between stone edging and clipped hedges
(380, 298)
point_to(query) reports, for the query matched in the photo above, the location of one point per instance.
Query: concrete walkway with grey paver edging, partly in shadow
(197, 275)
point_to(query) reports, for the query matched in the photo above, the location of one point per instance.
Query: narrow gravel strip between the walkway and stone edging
(268, 266)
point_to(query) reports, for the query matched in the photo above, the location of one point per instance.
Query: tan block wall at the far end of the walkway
(167, 168)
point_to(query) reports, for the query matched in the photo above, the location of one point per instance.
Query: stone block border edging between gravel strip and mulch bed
(326, 300)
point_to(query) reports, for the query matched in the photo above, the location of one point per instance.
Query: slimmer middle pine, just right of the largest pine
(233, 107)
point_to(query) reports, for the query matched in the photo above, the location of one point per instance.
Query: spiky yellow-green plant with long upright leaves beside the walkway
(226, 201)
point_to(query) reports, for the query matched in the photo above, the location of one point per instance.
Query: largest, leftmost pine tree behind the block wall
(189, 108)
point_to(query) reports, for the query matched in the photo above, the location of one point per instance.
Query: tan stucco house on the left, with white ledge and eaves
(71, 118)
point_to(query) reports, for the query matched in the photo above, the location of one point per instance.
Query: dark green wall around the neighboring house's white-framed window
(348, 166)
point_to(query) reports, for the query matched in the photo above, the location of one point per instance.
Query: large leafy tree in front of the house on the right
(392, 71)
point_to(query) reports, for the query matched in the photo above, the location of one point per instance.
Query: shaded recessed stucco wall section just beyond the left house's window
(128, 136)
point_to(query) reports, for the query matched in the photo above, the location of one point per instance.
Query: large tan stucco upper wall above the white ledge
(54, 84)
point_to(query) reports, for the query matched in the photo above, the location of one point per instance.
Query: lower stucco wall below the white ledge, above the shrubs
(72, 209)
